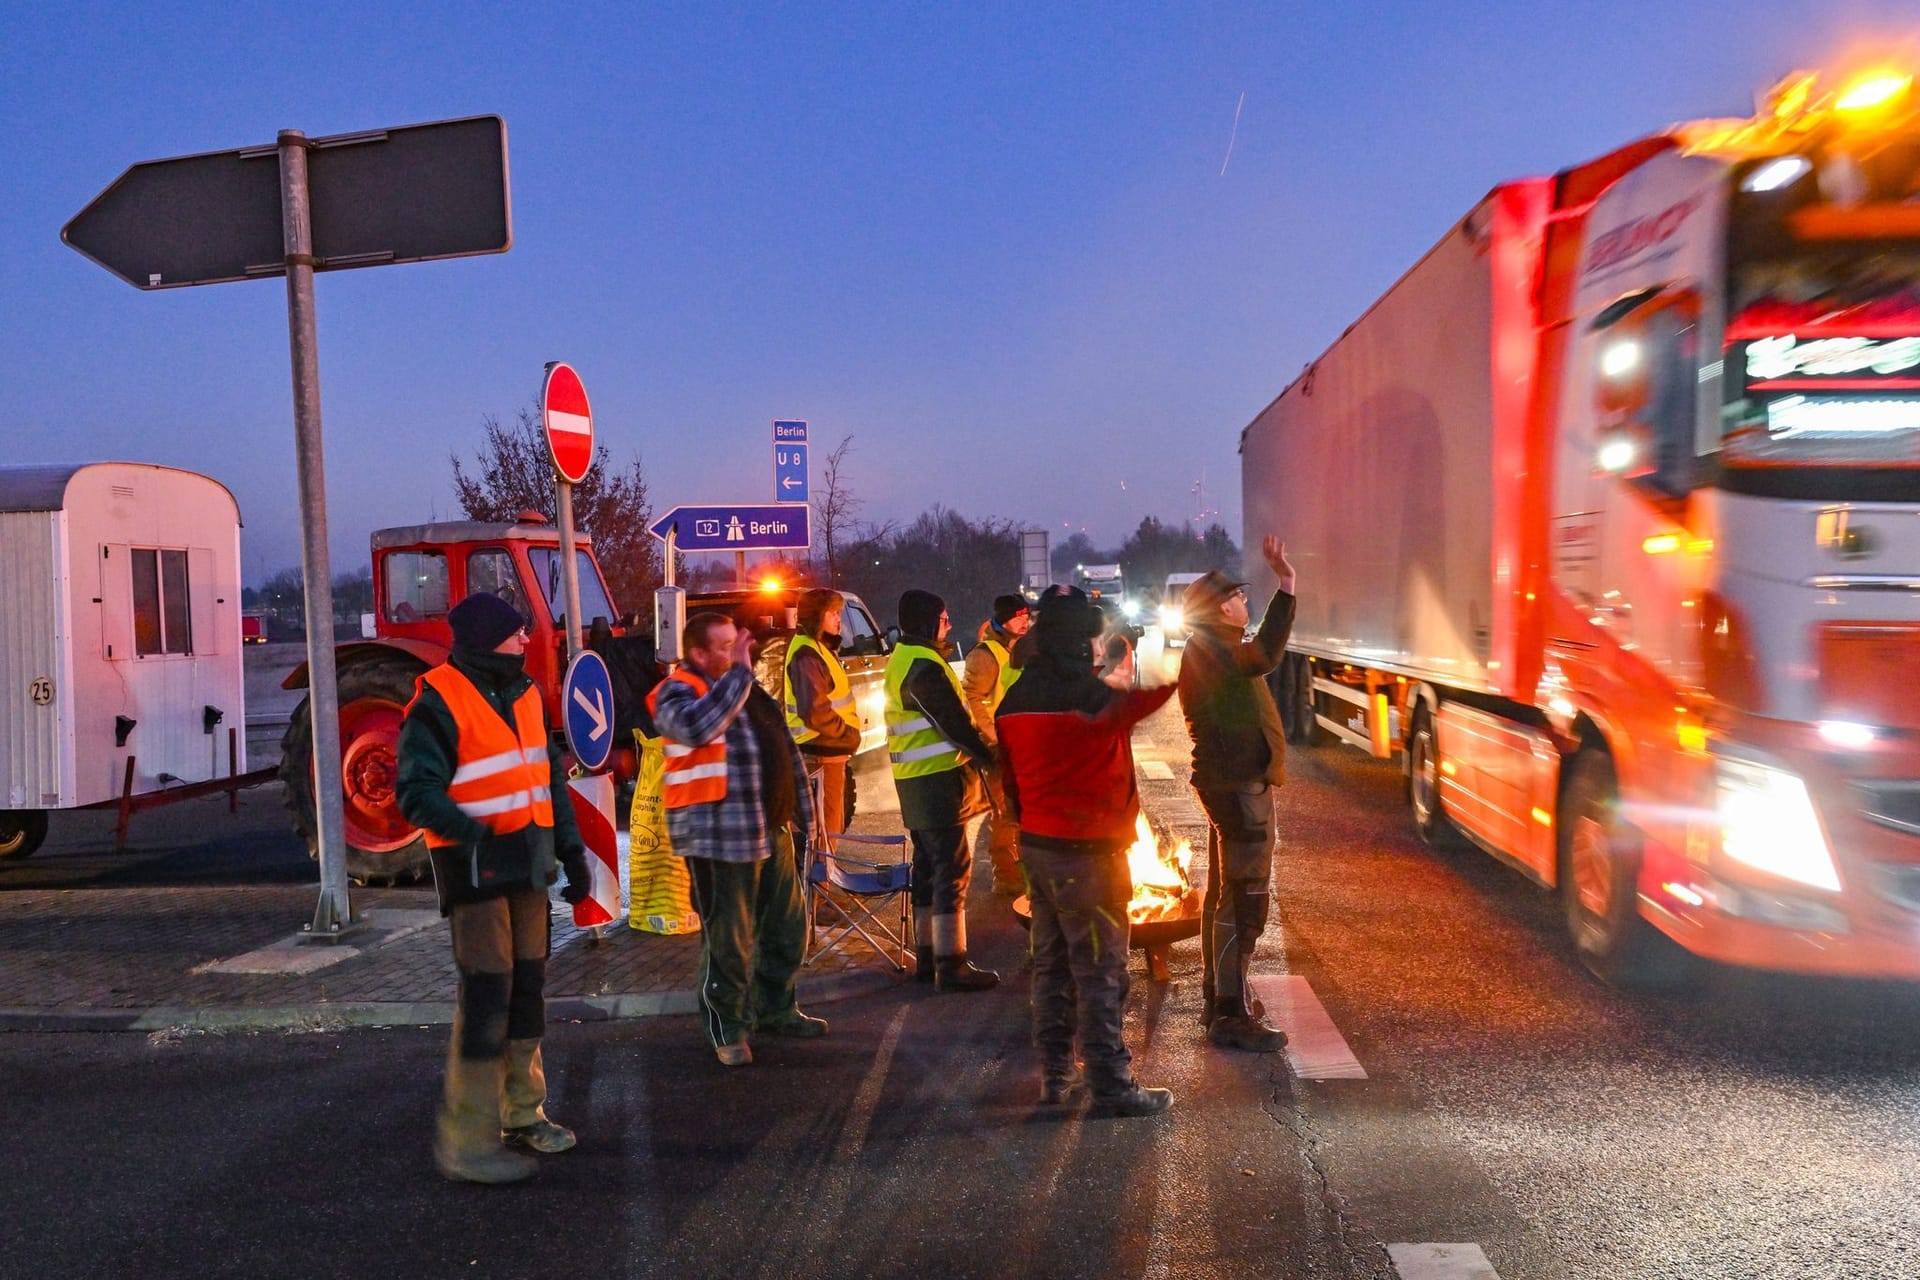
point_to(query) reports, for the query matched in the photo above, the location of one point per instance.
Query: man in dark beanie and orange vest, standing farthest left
(481, 774)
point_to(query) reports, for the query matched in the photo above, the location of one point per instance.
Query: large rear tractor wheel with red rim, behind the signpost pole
(383, 847)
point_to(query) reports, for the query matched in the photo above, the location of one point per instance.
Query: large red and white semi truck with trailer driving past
(1608, 517)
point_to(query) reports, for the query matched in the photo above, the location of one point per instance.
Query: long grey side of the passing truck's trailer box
(1378, 471)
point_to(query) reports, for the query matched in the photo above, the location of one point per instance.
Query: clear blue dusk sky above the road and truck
(990, 243)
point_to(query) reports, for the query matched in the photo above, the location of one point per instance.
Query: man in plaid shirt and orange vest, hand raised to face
(736, 803)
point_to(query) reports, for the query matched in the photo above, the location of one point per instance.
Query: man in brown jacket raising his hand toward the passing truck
(1239, 757)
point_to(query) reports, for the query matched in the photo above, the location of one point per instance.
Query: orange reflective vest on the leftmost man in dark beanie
(502, 772)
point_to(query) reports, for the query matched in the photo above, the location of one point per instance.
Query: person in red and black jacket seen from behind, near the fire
(1067, 765)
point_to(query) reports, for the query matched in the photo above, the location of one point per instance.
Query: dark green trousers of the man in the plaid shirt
(754, 937)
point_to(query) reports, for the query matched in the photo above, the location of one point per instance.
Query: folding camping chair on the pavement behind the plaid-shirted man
(852, 897)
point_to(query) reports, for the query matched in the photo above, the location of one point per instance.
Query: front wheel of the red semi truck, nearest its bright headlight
(1598, 874)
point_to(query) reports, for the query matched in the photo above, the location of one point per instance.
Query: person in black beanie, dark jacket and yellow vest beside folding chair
(938, 763)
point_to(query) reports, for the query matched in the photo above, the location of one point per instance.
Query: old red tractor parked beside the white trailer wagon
(420, 573)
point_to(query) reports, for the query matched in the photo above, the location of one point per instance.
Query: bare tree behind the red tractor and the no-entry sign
(514, 473)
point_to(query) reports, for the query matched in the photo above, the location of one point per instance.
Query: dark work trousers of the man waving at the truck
(1237, 878)
